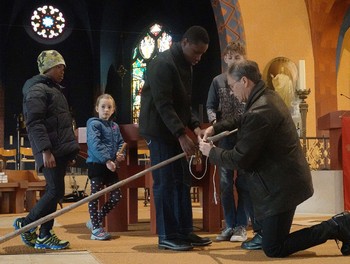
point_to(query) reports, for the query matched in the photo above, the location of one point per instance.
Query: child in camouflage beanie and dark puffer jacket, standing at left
(51, 136)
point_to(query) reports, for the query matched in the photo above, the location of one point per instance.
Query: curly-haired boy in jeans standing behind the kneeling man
(222, 105)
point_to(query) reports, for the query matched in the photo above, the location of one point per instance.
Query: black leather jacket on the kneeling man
(269, 148)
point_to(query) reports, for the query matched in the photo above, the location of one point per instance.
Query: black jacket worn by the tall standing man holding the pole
(166, 97)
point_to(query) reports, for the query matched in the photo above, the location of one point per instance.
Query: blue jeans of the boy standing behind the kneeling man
(233, 216)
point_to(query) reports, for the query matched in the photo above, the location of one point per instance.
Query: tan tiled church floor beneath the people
(137, 245)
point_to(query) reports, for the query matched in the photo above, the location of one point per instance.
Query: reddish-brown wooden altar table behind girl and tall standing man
(126, 211)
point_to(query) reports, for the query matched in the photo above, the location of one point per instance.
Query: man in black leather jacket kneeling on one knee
(268, 147)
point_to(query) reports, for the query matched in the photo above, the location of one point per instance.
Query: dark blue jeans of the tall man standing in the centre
(171, 190)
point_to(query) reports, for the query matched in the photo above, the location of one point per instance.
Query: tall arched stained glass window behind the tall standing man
(155, 40)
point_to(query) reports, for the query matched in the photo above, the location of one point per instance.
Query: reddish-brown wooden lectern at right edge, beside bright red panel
(332, 123)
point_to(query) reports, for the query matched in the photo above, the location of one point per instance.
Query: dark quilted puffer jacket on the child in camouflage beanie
(48, 120)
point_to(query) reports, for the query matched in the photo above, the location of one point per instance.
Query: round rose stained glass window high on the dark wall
(48, 22)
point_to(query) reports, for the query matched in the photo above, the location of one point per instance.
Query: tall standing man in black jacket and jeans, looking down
(165, 113)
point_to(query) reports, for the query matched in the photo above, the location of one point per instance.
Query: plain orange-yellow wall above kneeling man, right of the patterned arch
(281, 29)
